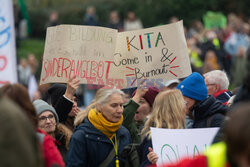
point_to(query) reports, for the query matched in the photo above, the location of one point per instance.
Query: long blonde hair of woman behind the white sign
(168, 112)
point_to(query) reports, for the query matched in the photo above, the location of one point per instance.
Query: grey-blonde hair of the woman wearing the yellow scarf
(102, 97)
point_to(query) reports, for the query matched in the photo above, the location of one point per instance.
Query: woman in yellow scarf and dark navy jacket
(99, 137)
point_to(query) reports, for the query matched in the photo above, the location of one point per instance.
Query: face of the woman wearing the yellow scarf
(113, 109)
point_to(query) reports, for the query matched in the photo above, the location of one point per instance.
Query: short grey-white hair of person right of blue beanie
(217, 77)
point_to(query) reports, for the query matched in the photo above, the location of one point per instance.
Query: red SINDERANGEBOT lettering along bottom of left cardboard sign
(83, 69)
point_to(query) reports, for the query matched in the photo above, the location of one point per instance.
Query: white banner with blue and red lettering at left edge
(8, 72)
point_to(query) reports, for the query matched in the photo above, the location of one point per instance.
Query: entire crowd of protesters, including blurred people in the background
(43, 126)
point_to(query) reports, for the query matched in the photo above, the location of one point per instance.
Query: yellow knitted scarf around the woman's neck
(100, 123)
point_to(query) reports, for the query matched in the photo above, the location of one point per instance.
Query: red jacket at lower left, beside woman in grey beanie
(51, 154)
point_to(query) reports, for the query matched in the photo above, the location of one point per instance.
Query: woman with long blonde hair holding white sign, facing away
(168, 112)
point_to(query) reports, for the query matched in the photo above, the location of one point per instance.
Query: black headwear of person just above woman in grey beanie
(55, 92)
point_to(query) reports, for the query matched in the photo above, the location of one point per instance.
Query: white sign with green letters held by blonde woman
(172, 145)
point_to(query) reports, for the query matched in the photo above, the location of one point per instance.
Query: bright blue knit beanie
(193, 87)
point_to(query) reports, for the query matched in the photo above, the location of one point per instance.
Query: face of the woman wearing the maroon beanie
(143, 110)
